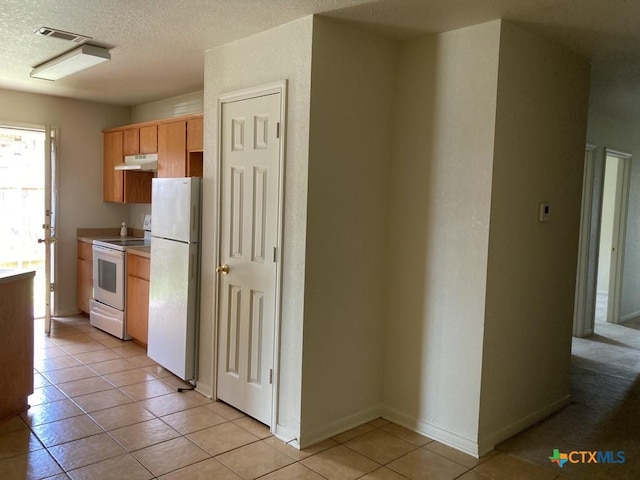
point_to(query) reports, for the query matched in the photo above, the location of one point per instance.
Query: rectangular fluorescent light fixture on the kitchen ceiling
(71, 62)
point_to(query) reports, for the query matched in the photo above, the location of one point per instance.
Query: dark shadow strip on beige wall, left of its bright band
(410, 216)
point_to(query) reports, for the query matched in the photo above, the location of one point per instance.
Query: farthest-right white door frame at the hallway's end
(619, 234)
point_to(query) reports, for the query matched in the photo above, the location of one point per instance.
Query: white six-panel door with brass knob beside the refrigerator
(250, 150)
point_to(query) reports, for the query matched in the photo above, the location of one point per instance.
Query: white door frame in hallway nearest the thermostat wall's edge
(585, 298)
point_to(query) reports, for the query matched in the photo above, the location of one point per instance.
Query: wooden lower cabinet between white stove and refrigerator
(137, 310)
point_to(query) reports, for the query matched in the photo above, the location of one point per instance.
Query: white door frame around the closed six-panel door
(245, 94)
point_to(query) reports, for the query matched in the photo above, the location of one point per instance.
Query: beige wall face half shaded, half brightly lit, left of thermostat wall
(439, 226)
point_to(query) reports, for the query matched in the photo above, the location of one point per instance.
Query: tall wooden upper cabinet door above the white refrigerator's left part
(172, 149)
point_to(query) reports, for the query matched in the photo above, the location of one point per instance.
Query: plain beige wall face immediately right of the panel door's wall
(352, 80)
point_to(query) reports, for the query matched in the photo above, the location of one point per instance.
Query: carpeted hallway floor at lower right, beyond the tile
(604, 413)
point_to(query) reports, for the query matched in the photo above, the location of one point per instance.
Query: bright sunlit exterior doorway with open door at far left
(26, 156)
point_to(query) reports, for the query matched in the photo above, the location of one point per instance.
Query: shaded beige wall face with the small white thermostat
(539, 156)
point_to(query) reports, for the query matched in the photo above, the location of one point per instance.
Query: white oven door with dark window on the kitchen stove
(108, 276)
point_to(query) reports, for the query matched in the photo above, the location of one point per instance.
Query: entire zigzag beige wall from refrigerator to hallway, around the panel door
(468, 154)
